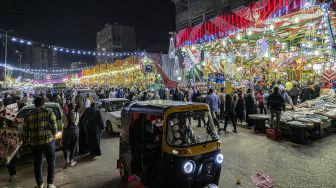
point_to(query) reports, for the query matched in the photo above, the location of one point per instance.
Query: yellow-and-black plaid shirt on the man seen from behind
(39, 126)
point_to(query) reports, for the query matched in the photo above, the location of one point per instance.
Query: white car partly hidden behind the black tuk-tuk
(110, 110)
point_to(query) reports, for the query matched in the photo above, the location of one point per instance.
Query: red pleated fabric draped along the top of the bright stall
(221, 25)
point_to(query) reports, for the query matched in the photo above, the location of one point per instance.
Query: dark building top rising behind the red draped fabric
(193, 12)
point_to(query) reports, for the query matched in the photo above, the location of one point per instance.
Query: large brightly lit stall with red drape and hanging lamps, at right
(270, 40)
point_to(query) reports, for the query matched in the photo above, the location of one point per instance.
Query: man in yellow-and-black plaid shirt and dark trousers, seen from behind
(39, 131)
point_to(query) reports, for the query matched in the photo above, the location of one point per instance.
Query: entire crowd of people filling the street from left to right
(83, 123)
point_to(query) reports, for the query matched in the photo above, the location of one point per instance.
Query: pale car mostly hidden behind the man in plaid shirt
(58, 113)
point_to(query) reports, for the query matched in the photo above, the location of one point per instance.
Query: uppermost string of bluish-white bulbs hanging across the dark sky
(71, 50)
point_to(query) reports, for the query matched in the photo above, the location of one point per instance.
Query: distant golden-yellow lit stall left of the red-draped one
(135, 71)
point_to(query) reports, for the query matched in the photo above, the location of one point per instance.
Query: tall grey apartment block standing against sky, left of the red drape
(115, 38)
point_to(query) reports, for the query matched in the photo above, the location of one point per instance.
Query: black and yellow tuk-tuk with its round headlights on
(169, 144)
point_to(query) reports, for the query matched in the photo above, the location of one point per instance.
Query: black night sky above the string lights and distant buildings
(74, 23)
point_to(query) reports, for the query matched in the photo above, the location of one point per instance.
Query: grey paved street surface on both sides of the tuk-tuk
(246, 154)
